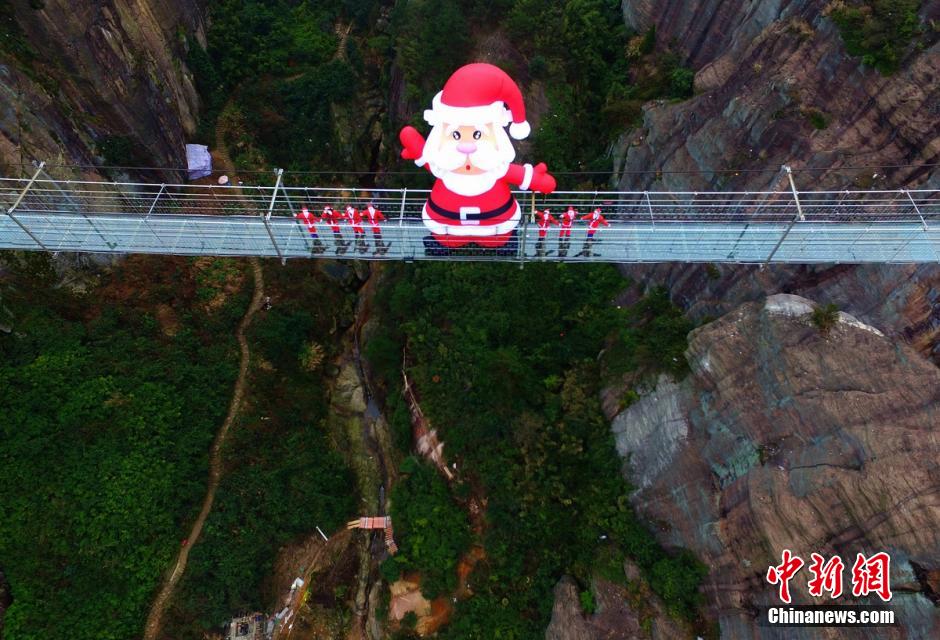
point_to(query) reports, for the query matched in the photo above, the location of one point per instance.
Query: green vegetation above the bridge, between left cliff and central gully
(277, 68)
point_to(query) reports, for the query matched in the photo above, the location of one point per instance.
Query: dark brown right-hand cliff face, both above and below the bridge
(765, 68)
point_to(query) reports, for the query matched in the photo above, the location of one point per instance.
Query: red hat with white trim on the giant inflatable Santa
(480, 93)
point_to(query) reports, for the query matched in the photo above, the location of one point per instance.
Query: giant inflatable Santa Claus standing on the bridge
(470, 154)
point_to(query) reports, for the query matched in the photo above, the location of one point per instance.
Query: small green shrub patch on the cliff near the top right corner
(878, 31)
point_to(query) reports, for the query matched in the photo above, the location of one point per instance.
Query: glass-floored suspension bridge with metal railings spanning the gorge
(782, 226)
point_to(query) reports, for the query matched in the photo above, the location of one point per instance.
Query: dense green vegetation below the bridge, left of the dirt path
(109, 408)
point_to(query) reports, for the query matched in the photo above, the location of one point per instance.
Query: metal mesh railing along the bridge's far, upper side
(193, 199)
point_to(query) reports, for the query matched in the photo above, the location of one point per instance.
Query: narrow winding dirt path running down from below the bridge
(155, 619)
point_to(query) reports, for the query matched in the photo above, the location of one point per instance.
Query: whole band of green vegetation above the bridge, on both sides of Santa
(318, 86)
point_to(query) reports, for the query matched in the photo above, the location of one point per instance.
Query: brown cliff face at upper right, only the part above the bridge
(763, 69)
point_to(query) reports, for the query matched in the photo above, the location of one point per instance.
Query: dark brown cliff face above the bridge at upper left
(73, 73)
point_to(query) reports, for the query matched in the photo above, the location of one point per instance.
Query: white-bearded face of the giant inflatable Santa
(469, 158)
